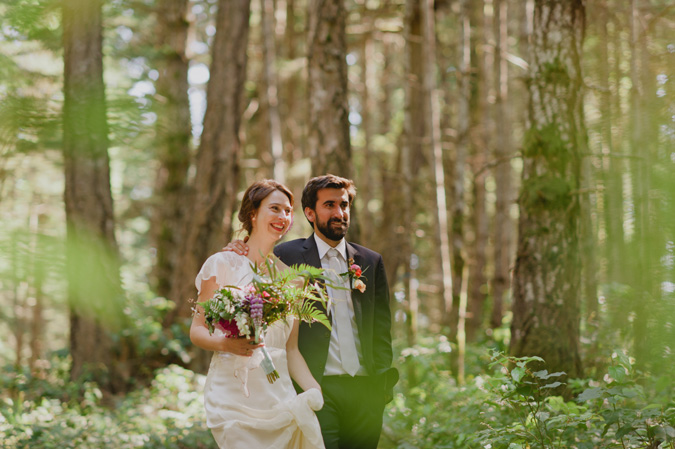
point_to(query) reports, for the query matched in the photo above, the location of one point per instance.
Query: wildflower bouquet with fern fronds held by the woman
(271, 296)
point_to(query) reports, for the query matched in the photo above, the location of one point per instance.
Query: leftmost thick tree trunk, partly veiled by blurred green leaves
(94, 290)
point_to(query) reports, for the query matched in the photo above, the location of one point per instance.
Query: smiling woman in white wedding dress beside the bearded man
(243, 410)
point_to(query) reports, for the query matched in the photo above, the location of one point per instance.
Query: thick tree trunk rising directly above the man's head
(328, 136)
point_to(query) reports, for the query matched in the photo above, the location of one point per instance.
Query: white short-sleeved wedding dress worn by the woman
(243, 410)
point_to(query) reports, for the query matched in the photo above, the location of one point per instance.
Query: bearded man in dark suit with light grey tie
(353, 361)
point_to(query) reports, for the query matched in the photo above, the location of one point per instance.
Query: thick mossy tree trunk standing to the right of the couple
(546, 278)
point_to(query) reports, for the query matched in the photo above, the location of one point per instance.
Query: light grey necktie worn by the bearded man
(348, 354)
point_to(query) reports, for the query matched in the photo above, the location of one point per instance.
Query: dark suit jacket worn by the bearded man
(373, 315)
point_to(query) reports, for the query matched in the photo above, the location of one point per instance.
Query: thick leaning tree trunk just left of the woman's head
(213, 199)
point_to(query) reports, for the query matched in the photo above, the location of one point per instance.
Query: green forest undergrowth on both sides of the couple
(505, 403)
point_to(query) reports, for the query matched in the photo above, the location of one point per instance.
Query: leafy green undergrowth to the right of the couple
(517, 406)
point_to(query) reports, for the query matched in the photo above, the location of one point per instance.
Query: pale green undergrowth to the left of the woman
(167, 414)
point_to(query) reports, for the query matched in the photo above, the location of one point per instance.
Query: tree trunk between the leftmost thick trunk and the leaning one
(173, 133)
